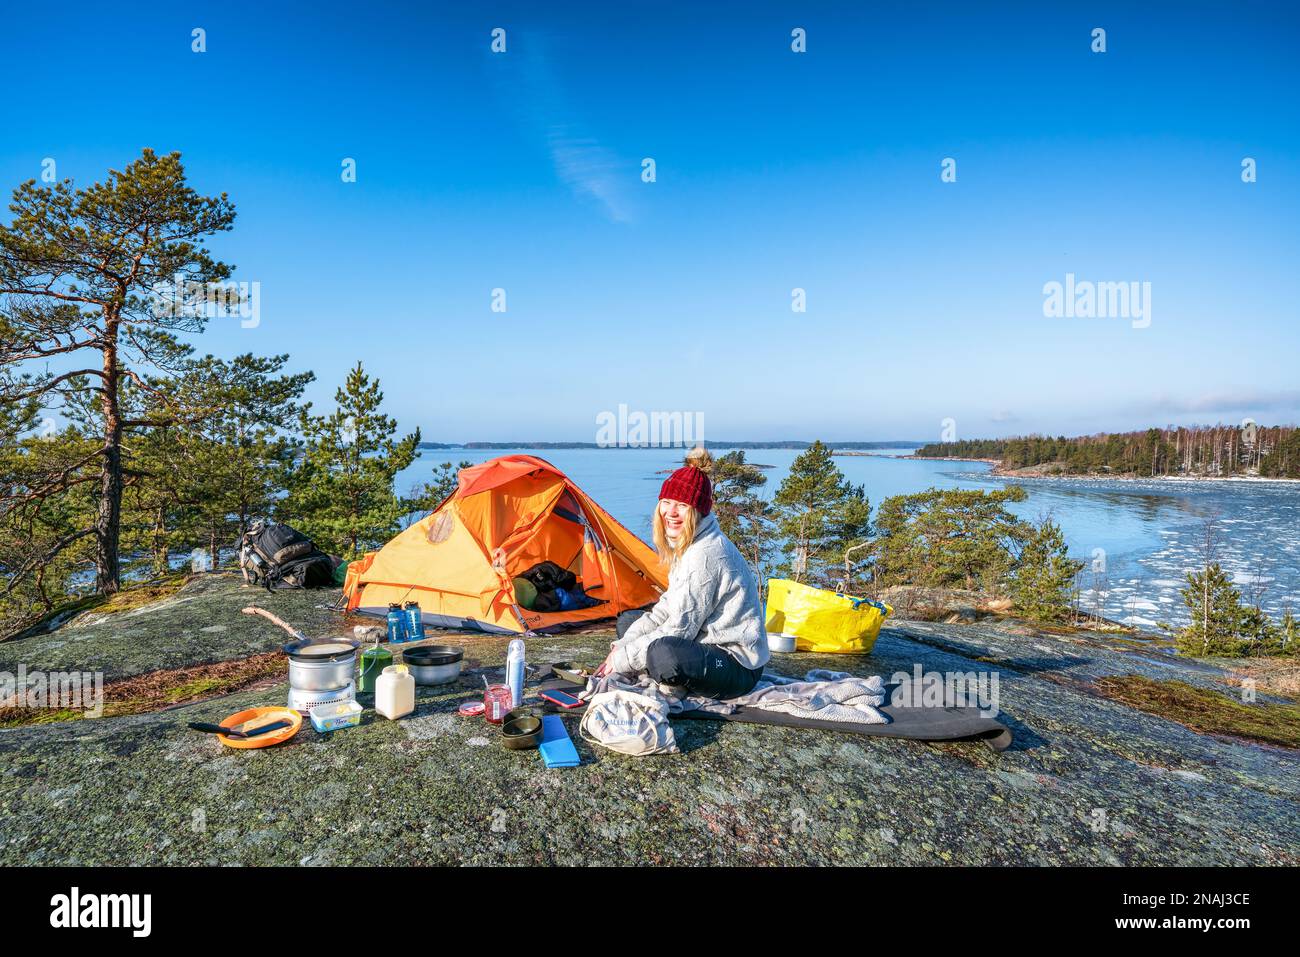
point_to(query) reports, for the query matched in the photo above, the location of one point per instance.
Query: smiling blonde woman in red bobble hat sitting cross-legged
(705, 635)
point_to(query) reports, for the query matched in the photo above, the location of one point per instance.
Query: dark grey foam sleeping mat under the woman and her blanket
(915, 724)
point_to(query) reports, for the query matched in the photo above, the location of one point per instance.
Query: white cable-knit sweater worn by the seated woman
(712, 597)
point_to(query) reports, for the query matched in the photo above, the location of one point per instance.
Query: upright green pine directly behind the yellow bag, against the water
(820, 517)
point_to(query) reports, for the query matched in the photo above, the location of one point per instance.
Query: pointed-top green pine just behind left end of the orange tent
(341, 495)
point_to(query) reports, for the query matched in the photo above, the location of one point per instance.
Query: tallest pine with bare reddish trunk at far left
(81, 272)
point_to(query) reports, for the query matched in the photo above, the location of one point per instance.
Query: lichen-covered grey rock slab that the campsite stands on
(1089, 781)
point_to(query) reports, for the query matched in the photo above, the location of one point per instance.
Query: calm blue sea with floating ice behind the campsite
(1138, 538)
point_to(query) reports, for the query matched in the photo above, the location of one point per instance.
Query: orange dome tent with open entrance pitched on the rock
(505, 517)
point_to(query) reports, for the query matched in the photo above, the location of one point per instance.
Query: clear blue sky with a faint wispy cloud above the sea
(775, 170)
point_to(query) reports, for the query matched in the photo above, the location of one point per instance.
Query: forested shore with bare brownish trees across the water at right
(1208, 452)
